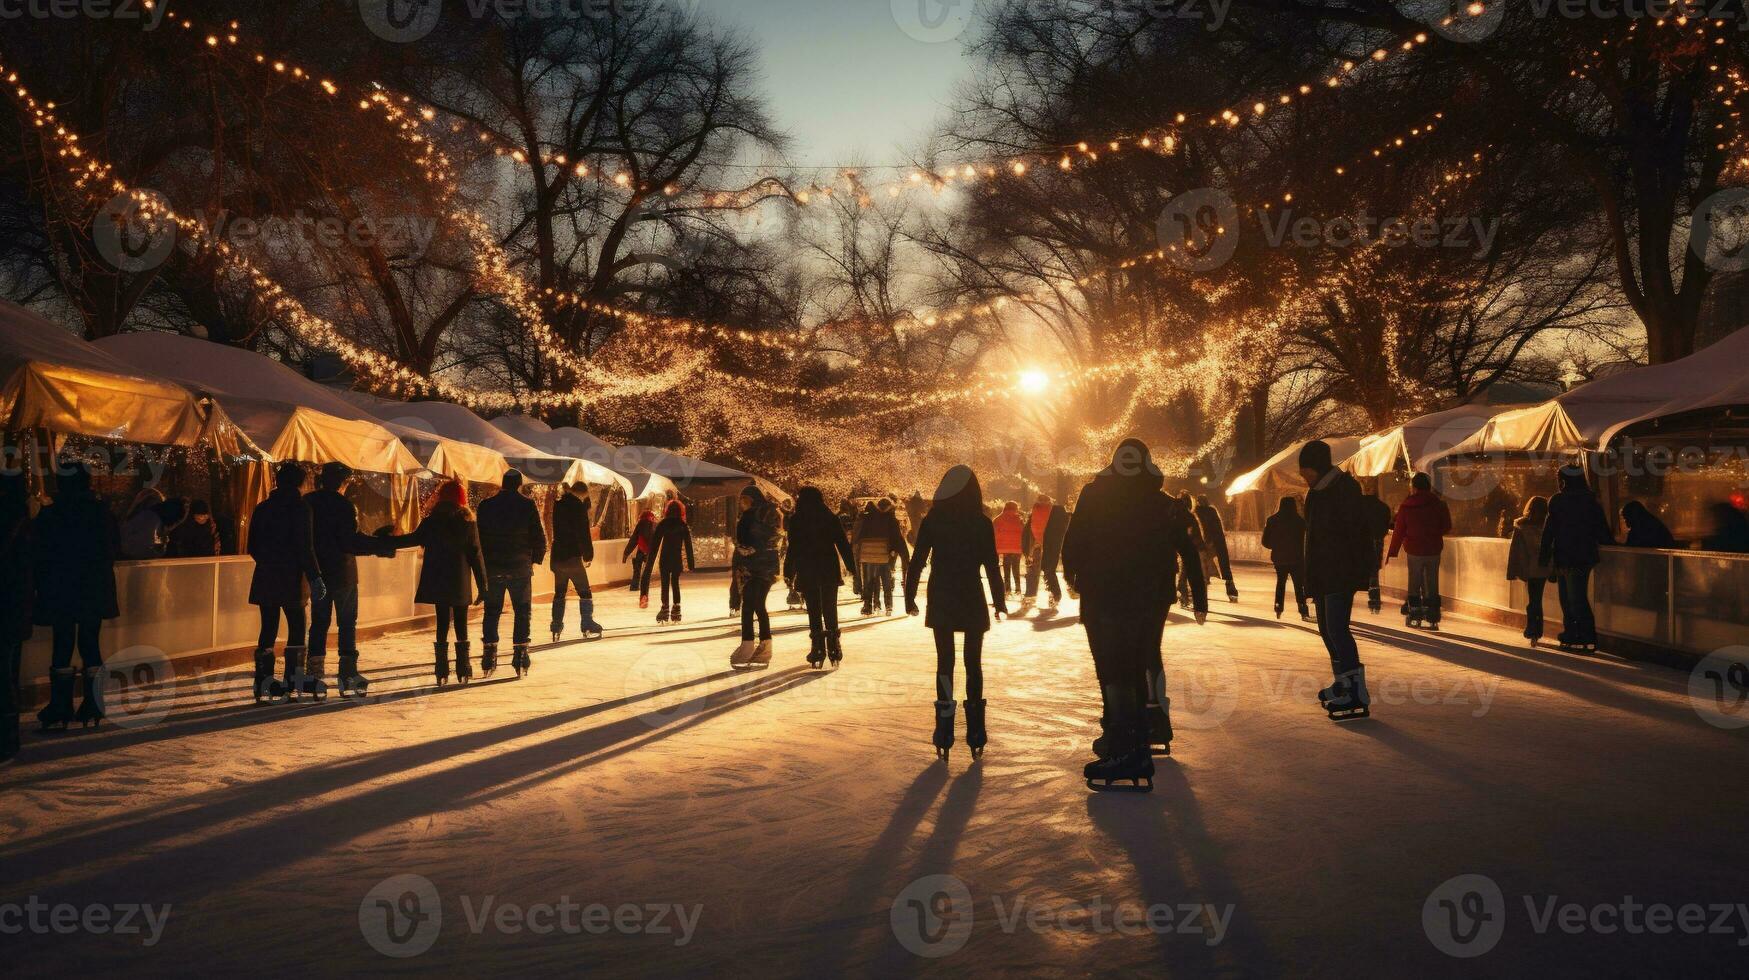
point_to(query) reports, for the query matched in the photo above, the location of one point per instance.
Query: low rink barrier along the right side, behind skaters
(1652, 605)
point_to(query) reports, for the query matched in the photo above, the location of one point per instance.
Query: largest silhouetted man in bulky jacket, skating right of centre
(1122, 556)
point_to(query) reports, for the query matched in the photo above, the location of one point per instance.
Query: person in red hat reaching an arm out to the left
(454, 577)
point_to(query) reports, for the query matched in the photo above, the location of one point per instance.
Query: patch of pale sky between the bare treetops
(854, 81)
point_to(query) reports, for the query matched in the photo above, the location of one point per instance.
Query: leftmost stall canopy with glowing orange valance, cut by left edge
(55, 381)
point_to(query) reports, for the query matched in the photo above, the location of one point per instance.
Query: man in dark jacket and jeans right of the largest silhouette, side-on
(1341, 563)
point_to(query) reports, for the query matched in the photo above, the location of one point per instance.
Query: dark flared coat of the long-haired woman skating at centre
(963, 547)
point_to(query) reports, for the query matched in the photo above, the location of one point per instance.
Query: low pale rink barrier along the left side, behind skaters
(197, 613)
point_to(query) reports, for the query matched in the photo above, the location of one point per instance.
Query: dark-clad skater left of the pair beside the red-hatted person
(282, 543)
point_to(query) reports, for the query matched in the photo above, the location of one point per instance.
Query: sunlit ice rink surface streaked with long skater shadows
(791, 813)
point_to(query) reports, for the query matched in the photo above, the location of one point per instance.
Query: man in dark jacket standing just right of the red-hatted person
(513, 543)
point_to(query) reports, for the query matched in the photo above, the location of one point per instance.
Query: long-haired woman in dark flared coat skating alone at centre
(961, 542)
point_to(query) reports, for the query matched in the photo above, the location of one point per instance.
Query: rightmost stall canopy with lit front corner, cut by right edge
(1592, 416)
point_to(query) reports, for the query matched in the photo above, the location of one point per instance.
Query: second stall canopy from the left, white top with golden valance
(282, 412)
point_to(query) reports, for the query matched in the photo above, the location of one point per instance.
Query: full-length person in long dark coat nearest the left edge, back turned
(78, 542)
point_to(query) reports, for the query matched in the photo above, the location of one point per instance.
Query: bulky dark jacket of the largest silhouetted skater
(1125, 547)
